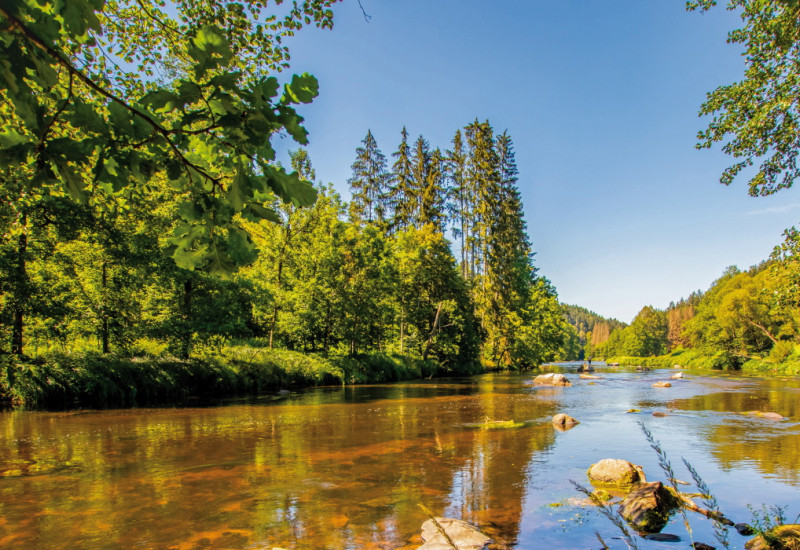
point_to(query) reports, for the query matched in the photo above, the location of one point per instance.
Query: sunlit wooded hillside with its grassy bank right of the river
(747, 320)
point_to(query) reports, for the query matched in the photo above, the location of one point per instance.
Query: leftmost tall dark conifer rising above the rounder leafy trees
(368, 184)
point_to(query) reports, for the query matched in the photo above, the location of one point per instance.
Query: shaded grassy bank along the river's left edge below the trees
(66, 380)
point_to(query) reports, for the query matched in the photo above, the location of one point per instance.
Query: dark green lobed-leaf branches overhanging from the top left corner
(98, 132)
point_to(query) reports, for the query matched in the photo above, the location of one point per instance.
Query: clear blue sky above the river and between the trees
(601, 100)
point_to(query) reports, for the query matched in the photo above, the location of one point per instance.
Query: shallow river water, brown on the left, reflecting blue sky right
(347, 468)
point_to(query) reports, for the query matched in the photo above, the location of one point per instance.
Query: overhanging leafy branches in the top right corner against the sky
(756, 117)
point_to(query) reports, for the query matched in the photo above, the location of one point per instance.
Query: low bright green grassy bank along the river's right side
(787, 363)
